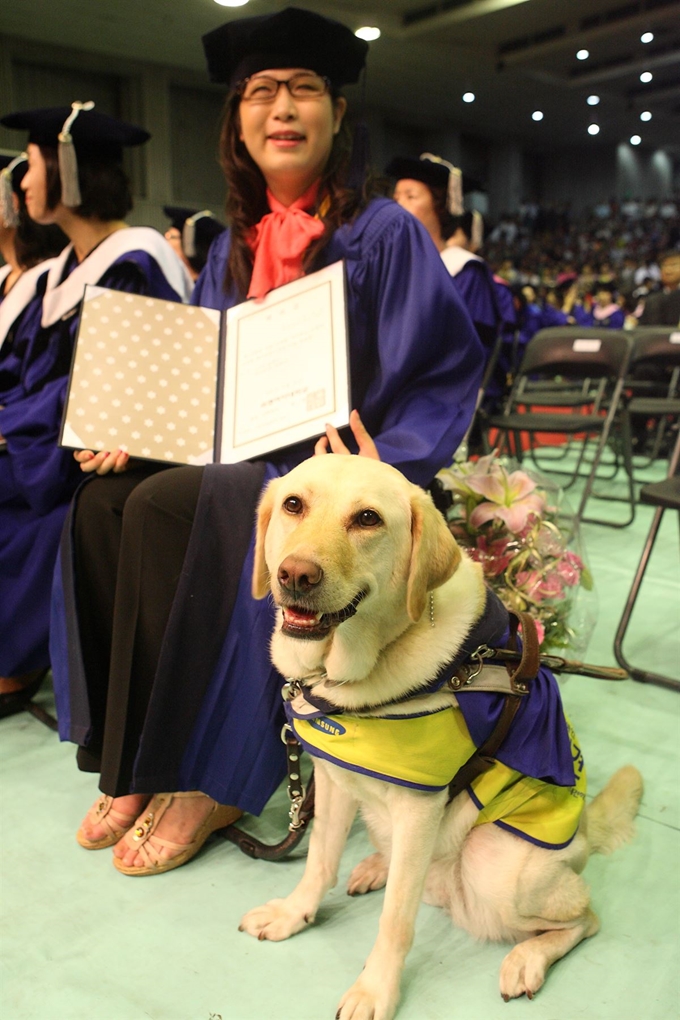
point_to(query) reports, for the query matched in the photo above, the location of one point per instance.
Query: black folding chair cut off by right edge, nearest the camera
(664, 496)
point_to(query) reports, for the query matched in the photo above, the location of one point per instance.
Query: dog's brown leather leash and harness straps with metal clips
(514, 683)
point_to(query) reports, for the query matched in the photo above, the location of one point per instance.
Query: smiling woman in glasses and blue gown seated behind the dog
(175, 691)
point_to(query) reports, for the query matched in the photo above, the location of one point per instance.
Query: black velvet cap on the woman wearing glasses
(292, 38)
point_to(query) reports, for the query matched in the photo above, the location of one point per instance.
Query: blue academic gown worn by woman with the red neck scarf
(214, 722)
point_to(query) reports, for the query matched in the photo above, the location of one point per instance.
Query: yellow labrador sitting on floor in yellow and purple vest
(375, 600)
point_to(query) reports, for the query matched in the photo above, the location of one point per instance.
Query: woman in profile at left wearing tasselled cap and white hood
(85, 192)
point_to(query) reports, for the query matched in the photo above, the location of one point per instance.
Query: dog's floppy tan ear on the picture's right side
(435, 553)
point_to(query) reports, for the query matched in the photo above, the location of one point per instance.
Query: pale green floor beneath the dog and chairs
(81, 942)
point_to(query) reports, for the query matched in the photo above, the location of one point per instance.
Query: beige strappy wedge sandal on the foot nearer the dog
(144, 840)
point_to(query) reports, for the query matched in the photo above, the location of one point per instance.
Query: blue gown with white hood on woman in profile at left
(37, 478)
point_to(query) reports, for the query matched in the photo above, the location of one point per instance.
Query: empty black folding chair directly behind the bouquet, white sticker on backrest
(583, 371)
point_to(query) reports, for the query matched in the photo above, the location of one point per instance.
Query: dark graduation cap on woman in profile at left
(96, 136)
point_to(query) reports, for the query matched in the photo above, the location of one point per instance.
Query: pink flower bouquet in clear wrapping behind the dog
(517, 526)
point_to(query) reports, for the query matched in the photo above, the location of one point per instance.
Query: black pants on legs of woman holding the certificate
(131, 536)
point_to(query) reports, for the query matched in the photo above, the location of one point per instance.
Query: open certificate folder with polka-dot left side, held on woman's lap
(186, 385)
